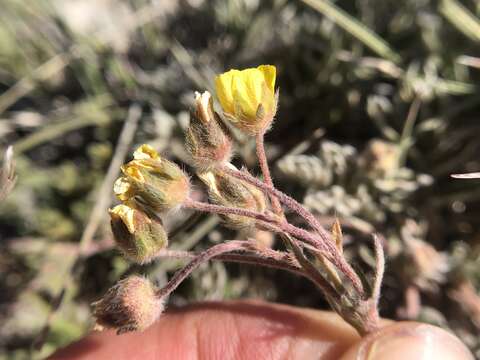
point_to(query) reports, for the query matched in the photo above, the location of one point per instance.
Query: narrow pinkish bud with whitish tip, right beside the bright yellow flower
(206, 140)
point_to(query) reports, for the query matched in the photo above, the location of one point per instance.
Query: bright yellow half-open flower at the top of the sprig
(248, 97)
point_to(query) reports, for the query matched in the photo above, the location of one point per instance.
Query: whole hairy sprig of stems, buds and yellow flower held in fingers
(151, 185)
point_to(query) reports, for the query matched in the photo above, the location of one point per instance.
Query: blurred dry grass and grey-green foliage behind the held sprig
(379, 104)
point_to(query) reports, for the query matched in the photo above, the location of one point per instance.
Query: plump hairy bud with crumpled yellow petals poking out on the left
(155, 182)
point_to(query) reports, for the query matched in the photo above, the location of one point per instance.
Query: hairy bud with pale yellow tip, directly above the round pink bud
(138, 235)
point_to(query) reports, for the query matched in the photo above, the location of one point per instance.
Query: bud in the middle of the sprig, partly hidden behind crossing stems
(226, 190)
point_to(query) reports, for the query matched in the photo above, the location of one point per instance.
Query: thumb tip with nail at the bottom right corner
(409, 340)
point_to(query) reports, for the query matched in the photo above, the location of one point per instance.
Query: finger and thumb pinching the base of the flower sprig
(257, 330)
